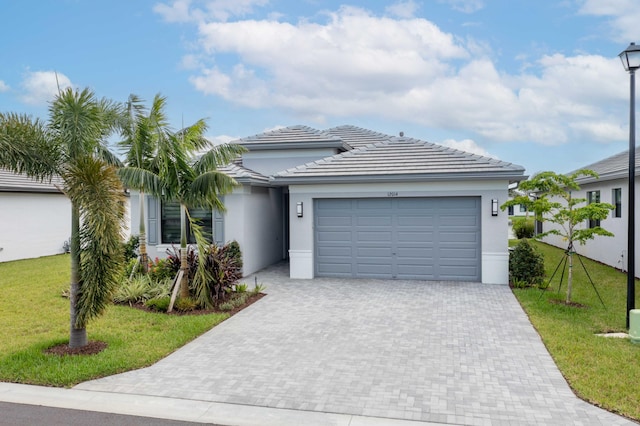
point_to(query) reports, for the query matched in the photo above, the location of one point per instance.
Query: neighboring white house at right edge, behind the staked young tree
(611, 187)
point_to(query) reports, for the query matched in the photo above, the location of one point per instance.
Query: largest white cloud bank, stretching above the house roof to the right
(359, 64)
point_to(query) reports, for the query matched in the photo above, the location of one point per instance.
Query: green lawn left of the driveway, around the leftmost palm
(35, 317)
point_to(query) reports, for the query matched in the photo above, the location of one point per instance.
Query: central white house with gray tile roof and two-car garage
(351, 202)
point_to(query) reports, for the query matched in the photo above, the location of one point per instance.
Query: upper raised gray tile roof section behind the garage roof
(292, 137)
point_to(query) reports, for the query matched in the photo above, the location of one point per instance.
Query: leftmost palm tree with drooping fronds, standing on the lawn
(72, 145)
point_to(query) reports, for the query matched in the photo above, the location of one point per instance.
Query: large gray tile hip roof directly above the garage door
(399, 158)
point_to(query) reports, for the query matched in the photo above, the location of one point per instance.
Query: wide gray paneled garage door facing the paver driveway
(404, 238)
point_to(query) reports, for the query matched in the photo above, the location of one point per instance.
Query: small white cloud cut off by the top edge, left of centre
(218, 10)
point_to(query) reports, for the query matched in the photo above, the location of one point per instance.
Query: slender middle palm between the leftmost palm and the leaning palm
(141, 131)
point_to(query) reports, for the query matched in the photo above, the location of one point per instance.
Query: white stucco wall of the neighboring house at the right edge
(609, 250)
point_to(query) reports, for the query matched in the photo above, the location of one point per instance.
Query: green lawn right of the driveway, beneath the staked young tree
(603, 371)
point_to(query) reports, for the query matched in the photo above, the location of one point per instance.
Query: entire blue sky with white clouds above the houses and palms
(536, 83)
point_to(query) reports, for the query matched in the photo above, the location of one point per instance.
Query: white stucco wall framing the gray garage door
(494, 244)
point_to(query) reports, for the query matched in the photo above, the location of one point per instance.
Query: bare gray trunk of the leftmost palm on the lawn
(77, 336)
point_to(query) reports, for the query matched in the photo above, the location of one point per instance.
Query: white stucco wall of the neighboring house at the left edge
(33, 224)
